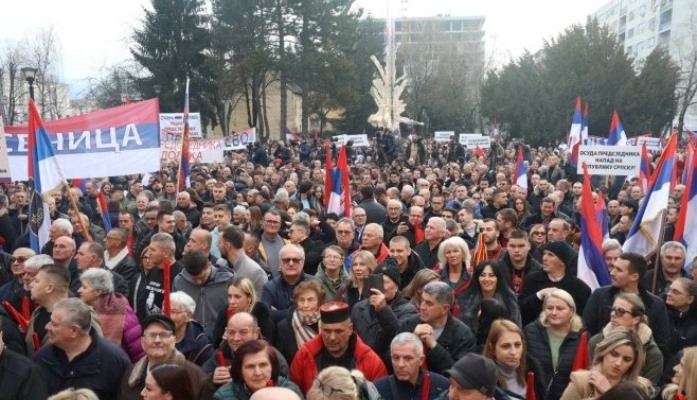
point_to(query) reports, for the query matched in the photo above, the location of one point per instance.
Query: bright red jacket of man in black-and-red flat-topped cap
(303, 369)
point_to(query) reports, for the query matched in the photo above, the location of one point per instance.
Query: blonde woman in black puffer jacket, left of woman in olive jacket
(553, 339)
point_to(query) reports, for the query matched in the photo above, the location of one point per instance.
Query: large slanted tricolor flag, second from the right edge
(645, 234)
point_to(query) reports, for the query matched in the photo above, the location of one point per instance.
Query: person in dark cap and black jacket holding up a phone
(389, 308)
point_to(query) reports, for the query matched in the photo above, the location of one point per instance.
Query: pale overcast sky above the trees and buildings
(95, 34)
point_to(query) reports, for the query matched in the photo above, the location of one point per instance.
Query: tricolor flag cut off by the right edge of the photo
(686, 224)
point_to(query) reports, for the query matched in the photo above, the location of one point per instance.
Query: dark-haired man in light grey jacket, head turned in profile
(231, 245)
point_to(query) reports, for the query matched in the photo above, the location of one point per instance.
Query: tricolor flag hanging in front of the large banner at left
(47, 177)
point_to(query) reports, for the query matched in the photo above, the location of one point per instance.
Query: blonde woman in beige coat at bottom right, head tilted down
(617, 358)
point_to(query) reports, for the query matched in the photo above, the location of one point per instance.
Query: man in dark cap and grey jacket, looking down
(206, 284)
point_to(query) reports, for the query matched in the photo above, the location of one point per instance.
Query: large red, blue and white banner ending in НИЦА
(117, 141)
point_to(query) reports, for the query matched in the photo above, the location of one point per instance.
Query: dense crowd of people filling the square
(447, 281)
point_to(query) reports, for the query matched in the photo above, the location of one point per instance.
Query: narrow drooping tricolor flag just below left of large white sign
(591, 264)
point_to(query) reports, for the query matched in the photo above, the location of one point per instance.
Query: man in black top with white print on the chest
(147, 289)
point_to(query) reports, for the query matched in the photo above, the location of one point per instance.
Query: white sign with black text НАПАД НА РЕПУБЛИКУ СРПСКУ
(610, 160)
